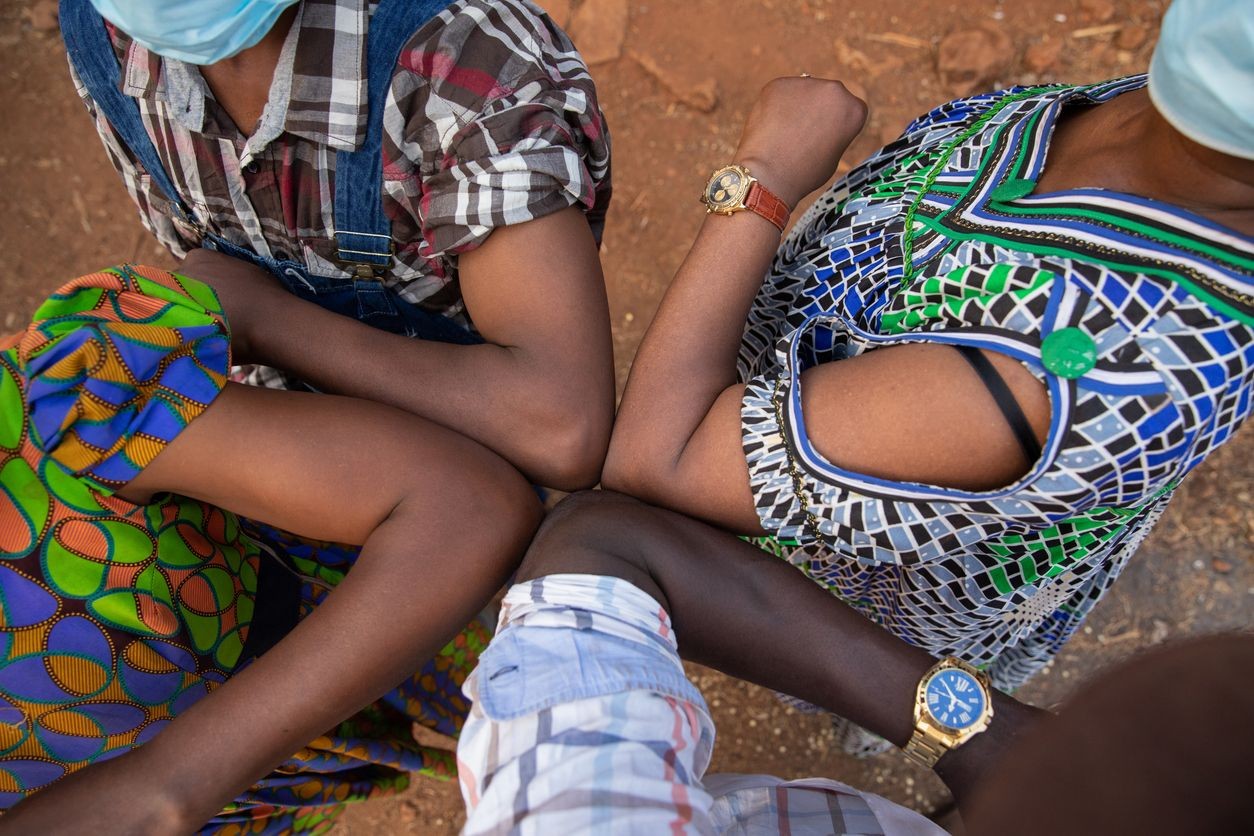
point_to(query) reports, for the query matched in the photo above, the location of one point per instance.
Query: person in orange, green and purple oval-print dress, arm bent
(170, 657)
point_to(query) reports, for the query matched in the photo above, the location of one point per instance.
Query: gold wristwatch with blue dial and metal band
(952, 705)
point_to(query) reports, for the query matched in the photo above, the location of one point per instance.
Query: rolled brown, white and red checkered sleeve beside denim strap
(500, 122)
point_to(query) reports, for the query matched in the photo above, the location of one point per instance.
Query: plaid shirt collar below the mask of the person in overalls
(319, 91)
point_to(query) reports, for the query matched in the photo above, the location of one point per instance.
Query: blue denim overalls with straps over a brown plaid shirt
(363, 234)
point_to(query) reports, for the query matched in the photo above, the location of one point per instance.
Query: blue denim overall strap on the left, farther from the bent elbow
(91, 52)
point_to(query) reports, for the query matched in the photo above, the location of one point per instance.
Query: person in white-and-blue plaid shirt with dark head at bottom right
(585, 723)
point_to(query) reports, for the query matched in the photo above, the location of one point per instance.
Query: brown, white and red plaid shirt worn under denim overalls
(492, 120)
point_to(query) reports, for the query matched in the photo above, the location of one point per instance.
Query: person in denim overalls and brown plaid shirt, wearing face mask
(436, 172)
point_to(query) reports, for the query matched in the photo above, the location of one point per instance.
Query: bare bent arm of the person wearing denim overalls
(540, 392)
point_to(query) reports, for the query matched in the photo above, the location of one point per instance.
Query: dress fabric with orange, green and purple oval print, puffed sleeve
(119, 617)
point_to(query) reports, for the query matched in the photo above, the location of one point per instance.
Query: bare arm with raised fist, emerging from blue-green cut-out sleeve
(677, 442)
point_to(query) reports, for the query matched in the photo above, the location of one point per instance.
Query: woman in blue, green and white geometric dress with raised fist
(965, 388)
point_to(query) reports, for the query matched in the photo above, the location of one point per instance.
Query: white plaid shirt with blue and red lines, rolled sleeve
(584, 723)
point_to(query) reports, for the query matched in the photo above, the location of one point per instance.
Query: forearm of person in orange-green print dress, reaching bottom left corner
(394, 611)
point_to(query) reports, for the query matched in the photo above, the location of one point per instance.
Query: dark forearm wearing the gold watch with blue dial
(761, 620)
